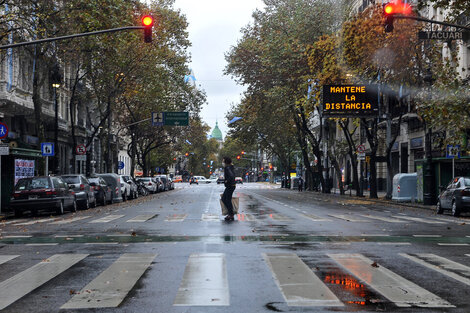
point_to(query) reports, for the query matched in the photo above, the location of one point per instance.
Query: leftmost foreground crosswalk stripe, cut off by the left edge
(23, 283)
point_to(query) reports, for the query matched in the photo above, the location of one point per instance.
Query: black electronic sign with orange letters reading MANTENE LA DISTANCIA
(350, 100)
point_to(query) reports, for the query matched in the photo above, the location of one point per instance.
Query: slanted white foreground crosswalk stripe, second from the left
(113, 284)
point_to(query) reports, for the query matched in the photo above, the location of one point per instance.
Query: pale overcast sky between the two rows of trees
(214, 26)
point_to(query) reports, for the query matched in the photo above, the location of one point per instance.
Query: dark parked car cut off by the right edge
(456, 197)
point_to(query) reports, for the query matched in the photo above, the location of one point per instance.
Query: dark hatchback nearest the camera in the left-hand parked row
(42, 192)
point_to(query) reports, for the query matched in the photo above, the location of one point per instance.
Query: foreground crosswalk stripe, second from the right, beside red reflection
(395, 288)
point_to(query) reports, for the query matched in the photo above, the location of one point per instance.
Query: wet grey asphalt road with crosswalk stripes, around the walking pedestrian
(286, 252)
